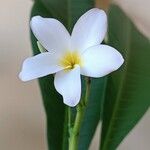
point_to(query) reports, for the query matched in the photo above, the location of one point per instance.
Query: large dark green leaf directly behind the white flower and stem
(67, 11)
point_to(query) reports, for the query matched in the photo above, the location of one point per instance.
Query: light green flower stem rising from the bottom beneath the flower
(74, 131)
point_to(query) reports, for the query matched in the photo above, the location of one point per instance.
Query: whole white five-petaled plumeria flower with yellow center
(70, 56)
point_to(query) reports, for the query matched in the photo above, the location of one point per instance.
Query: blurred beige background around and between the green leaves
(22, 117)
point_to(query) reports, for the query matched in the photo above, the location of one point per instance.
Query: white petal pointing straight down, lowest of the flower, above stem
(68, 84)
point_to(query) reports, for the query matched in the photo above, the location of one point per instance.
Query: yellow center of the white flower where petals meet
(70, 59)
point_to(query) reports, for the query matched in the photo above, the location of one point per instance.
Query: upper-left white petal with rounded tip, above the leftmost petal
(50, 33)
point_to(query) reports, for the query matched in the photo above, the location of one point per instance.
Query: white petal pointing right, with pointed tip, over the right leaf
(100, 60)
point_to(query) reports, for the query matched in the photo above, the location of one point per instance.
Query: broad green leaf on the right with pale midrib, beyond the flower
(127, 92)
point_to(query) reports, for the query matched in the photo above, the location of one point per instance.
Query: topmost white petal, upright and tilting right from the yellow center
(89, 30)
